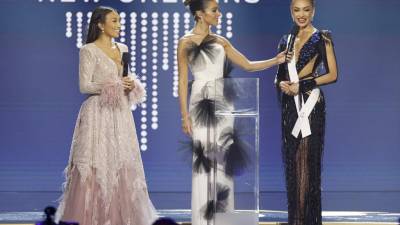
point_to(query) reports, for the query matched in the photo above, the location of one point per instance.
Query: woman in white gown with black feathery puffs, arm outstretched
(207, 55)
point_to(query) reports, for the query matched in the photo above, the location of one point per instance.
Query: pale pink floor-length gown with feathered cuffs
(105, 182)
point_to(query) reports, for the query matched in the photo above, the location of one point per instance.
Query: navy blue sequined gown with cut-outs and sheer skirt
(302, 156)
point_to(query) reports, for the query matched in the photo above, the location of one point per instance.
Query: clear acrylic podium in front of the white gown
(238, 109)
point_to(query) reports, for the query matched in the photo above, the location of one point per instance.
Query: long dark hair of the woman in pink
(98, 16)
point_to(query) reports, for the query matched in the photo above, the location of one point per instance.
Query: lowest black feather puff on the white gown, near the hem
(220, 205)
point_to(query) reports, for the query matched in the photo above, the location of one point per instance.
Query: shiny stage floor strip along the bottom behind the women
(266, 217)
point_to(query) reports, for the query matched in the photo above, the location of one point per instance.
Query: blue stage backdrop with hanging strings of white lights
(40, 100)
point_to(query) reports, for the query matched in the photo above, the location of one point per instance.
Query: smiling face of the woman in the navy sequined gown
(302, 12)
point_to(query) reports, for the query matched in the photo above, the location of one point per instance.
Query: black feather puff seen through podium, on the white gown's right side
(236, 154)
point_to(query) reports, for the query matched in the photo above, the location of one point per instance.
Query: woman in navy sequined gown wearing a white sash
(314, 63)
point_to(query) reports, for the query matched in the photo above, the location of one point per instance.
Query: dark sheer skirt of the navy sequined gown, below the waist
(302, 158)
